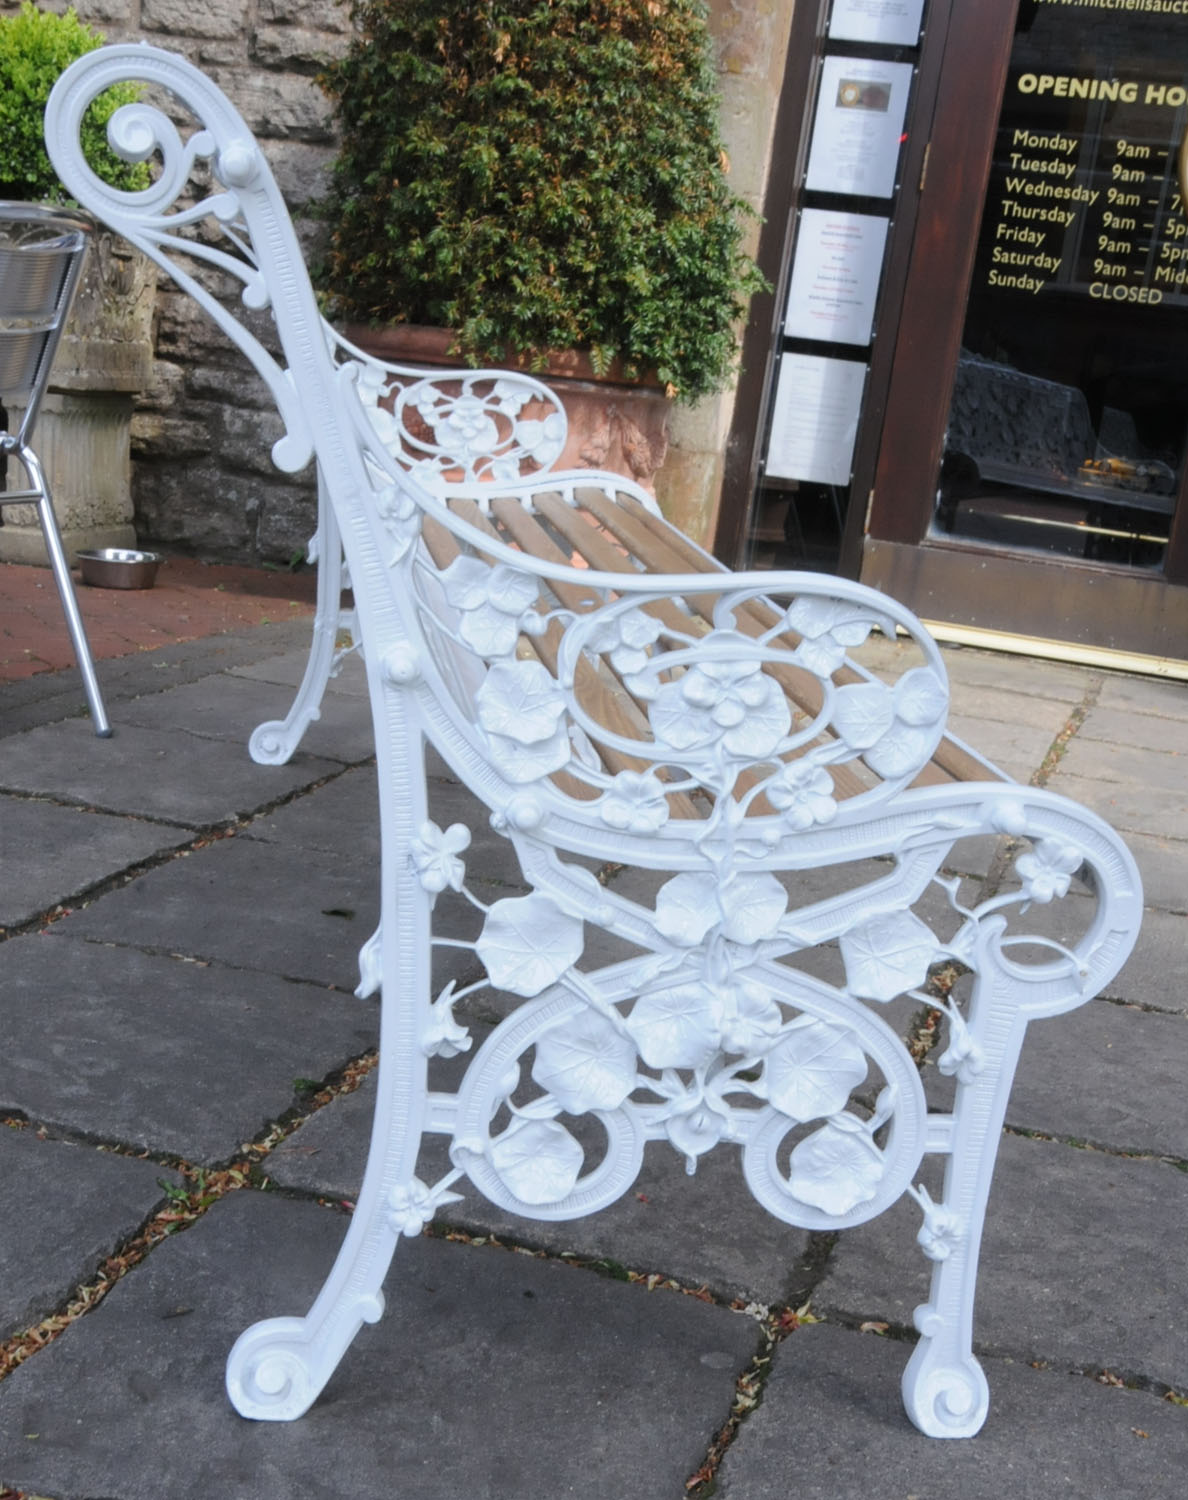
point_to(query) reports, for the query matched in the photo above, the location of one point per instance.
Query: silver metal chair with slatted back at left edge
(41, 260)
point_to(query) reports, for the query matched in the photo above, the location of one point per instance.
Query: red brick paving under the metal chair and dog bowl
(190, 601)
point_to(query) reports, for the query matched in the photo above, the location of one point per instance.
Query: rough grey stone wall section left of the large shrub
(202, 476)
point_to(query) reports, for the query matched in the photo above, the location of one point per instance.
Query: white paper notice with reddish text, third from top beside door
(836, 277)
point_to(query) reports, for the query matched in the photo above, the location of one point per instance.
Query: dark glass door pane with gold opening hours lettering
(1069, 415)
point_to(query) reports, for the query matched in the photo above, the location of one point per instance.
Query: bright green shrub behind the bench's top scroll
(35, 49)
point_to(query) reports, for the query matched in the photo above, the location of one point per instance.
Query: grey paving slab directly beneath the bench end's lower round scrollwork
(704, 1229)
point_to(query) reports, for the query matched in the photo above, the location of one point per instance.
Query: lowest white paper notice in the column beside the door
(817, 419)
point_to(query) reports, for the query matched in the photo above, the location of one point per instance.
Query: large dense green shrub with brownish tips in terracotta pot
(539, 175)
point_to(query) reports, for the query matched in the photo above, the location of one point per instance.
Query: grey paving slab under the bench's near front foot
(832, 1426)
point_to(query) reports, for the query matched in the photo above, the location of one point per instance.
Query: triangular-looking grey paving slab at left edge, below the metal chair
(53, 854)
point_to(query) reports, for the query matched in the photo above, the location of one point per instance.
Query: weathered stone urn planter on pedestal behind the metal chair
(83, 433)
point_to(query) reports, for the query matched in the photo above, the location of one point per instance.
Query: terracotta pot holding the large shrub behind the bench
(614, 424)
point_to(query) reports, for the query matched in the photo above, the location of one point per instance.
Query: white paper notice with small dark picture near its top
(859, 125)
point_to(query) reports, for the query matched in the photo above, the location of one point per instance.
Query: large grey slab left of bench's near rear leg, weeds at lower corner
(158, 1054)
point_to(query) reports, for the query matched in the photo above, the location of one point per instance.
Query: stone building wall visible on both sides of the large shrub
(202, 433)
